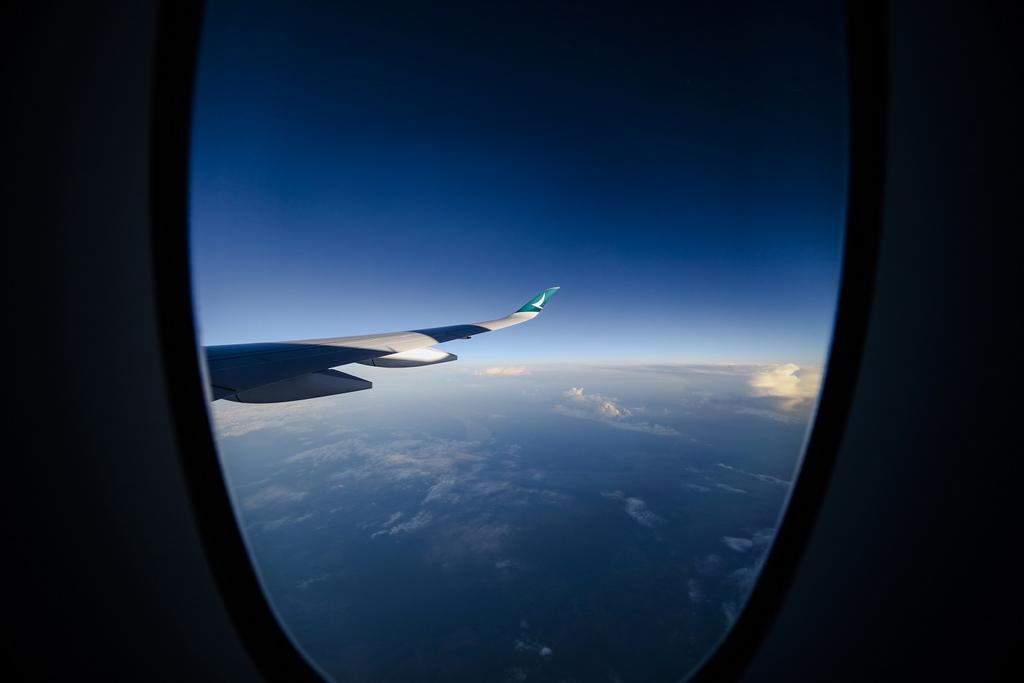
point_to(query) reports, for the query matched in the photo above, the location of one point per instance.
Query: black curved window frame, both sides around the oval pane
(272, 650)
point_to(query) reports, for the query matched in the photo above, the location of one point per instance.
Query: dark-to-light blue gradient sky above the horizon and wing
(680, 174)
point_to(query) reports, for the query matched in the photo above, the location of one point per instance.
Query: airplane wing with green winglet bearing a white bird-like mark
(271, 373)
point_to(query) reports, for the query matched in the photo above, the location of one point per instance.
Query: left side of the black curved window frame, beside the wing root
(179, 34)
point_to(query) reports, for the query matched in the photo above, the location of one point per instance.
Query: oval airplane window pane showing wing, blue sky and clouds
(461, 472)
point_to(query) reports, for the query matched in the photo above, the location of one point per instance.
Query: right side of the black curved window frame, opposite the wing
(867, 64)
